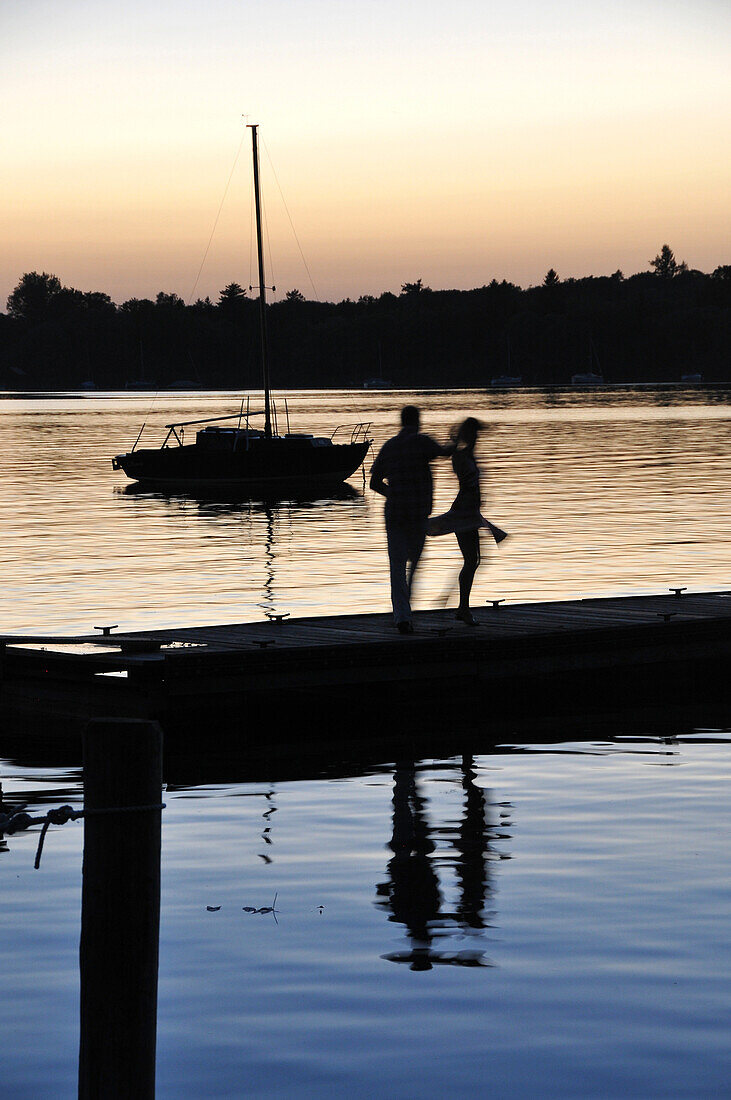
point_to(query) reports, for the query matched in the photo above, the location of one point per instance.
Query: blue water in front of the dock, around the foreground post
(539, 921)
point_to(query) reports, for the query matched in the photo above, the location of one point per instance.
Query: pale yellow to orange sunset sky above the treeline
(456, 142)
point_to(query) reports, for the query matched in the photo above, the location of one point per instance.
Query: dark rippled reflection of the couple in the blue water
(414, 894)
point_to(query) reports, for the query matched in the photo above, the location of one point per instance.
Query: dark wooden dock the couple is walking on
(334, 676)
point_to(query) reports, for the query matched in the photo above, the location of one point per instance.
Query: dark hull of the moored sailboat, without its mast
(271, 465)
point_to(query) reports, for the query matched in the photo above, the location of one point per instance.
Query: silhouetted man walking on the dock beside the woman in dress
(402, 475)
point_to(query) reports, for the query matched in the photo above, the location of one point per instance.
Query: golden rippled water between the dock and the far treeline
(627, 493)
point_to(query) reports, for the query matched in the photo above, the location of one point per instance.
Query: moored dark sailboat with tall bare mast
(230, 453)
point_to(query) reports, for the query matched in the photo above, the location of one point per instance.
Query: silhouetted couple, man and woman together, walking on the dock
(402, 474)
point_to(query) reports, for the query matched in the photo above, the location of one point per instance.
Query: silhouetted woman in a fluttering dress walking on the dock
(464, 519)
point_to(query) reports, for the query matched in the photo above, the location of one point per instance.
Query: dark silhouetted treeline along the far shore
(655, 326)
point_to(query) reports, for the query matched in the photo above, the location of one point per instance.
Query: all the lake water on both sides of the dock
(542, 920)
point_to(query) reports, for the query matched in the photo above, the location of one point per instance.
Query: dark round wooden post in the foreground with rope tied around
(120, 910)
